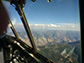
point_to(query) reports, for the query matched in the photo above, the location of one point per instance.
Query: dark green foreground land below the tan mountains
(54, 52)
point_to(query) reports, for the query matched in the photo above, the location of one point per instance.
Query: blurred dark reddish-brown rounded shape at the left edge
(3, 19)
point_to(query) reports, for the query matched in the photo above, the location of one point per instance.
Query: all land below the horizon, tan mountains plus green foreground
(51, 43)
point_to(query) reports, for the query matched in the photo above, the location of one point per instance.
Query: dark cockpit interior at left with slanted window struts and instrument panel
(14, 49)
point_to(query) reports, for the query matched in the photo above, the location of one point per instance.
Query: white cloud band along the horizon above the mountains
(57, 26)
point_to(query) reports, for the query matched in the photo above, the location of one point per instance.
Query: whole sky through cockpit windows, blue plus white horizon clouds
(59, 14)
